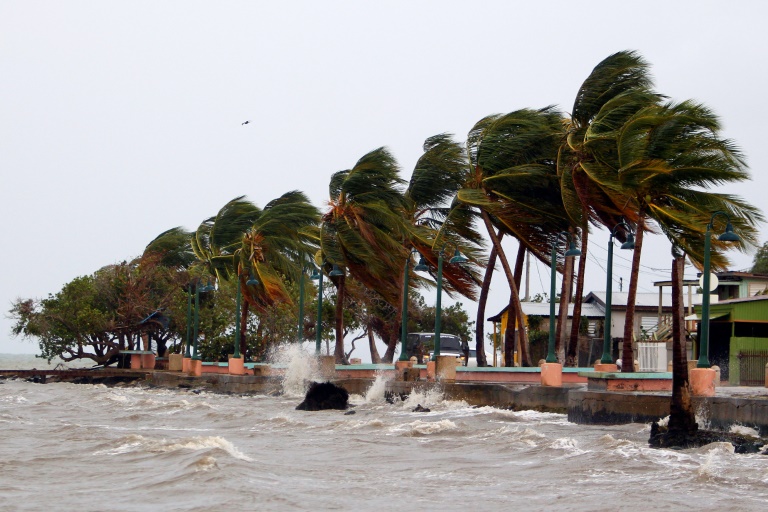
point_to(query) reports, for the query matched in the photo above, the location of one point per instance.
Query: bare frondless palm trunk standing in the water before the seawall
(682, 420)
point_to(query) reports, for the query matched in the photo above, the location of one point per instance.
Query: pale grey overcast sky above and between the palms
(119, 120)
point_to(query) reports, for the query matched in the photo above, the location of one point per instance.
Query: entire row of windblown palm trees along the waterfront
(624, 153)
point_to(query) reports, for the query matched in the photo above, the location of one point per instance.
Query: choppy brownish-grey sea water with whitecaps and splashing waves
(96, 448)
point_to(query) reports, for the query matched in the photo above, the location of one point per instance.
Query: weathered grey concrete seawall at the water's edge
(581, 405)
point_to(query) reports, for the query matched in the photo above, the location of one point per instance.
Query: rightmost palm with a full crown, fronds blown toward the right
(669, 155)
